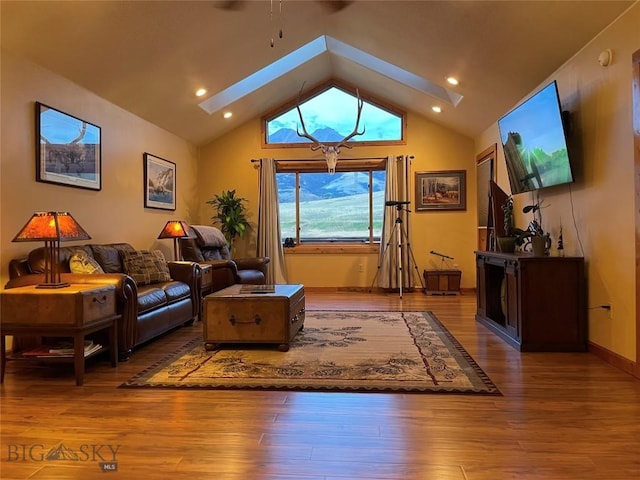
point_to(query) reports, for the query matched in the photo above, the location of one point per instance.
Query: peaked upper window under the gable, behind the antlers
(330, 116)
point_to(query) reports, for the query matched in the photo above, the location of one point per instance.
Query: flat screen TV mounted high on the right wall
(534, 143)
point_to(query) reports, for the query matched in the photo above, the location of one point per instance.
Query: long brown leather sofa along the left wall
(148, 310)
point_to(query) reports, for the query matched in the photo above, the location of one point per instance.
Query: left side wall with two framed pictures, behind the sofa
(114, 214)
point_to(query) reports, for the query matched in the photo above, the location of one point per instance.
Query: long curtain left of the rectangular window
(269, 241)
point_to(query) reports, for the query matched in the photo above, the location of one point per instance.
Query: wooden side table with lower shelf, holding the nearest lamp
(75, 311)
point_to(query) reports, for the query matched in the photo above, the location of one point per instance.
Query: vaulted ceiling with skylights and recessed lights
(150, 57)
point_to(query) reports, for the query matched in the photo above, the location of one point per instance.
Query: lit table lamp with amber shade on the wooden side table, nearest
(52, 228)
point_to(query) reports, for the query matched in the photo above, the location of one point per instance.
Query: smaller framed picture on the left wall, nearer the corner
(159, 183)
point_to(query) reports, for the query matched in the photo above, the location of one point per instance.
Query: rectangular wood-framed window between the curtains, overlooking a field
(346, 207)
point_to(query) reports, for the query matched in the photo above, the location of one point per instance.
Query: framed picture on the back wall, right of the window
(443, 190)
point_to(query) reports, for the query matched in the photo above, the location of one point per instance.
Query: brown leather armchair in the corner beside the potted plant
(207, 246)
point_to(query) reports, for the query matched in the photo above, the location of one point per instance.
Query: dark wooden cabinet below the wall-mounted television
(533, 303)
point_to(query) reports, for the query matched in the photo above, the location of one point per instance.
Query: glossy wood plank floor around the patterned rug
(561, 416)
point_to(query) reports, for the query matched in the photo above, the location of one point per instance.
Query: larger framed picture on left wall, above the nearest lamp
(68, 149)
